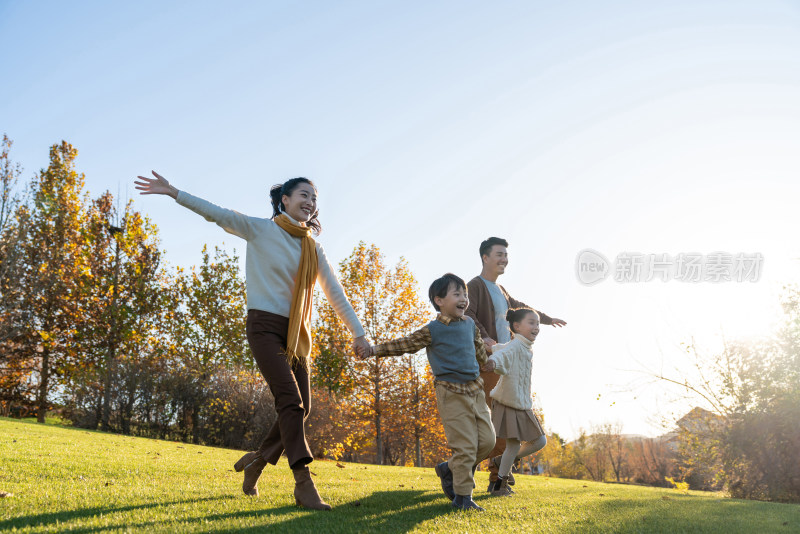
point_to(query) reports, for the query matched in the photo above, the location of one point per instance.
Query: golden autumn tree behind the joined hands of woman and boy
(387, 392)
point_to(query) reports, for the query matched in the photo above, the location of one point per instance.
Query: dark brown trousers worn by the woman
(290, 387)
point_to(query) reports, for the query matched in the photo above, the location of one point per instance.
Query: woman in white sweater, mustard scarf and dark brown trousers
(283, 263)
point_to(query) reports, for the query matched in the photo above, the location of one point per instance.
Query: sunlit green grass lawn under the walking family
(71, 480)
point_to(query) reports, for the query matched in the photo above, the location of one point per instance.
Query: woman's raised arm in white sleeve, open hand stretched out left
(229, 220)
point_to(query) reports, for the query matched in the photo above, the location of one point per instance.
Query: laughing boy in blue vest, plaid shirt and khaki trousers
(455, 352)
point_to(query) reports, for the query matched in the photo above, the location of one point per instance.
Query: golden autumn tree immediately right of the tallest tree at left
(121, 289)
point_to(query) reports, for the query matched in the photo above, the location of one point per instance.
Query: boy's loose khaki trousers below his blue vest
(468, 427)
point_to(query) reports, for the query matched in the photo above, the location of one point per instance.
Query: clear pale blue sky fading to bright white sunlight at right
(428, 126)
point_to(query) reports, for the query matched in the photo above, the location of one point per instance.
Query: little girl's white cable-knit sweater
(514, 361)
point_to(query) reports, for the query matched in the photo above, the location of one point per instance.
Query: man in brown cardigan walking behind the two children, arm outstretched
(488, 304)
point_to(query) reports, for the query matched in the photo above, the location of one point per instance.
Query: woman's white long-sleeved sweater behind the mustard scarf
(272, 260)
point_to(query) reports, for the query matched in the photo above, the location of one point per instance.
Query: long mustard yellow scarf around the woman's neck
(298, 339)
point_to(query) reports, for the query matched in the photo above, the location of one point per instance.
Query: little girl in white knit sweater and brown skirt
(512, 402)
